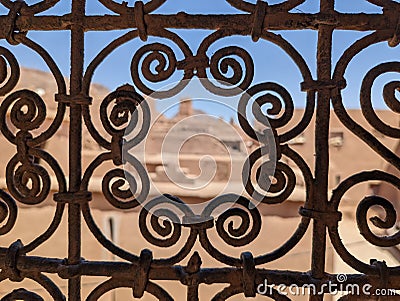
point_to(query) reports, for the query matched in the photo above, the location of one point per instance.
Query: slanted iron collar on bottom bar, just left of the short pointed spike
(142, 273)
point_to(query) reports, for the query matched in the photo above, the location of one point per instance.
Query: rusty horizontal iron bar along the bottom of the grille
(231, 275)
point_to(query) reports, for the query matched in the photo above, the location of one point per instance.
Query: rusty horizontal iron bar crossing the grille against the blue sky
(240, 22)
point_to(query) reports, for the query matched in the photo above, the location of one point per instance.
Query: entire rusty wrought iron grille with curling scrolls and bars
(241, 275)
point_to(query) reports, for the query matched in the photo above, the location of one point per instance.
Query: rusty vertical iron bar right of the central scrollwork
(320, 200)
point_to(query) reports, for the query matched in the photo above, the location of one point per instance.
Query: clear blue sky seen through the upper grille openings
(271, 63)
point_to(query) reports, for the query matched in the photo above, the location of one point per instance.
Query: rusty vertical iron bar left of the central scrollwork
(75, 140)
